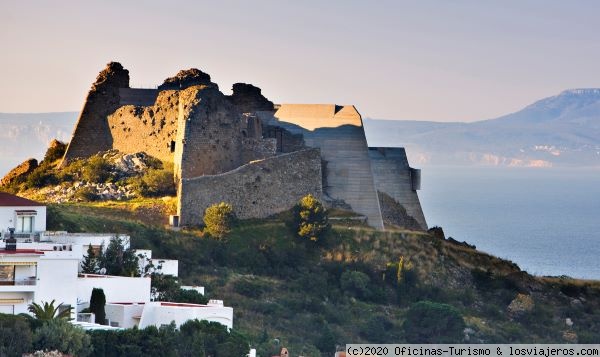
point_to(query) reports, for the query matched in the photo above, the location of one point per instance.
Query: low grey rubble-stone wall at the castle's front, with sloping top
(255, 190)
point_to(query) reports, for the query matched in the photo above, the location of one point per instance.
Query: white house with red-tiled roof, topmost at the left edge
(27, 217)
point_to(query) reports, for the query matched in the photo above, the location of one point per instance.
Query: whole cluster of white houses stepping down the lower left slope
(39, 266)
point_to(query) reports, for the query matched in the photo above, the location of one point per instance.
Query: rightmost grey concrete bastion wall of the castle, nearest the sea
(392, 175)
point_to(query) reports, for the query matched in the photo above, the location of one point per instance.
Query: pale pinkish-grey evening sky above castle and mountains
(420, 60)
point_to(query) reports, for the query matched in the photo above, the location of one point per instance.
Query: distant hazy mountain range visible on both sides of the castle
(563, 130)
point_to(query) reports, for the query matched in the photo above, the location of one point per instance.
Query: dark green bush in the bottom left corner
(15, 336)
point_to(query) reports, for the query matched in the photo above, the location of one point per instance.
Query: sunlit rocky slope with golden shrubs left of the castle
(106, 176)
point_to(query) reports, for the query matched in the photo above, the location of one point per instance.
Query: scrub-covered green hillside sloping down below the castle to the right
(360, 285)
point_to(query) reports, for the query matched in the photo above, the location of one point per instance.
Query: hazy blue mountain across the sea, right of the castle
(562, 130)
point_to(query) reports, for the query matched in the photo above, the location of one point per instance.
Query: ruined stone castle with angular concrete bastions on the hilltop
(244, 150)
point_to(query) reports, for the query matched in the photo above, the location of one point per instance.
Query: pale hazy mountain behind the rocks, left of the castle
(28, 135)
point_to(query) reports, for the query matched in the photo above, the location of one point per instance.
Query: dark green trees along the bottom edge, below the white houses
(194, 338)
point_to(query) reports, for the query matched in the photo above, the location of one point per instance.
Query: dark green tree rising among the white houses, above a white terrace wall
(119, 261)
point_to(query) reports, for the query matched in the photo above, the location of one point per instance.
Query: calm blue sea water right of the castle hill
(545, 220)
